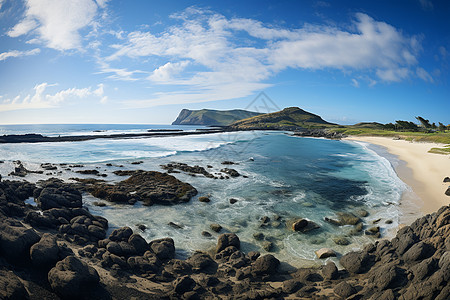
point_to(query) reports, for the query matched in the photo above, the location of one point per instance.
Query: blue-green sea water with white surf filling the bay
(286, 178)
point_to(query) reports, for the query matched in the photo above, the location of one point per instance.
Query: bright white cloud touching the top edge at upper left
(57, 22)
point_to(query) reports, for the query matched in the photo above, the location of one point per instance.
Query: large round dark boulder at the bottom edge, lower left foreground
(72, 278)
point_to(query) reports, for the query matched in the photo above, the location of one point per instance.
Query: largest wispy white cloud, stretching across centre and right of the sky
(208, 52)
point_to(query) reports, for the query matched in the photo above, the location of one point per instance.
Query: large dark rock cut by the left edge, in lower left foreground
(16, 240)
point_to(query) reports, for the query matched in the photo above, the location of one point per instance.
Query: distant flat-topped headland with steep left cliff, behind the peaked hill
(212, 117)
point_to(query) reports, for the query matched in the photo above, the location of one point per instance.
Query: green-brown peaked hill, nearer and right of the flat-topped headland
(290, 118)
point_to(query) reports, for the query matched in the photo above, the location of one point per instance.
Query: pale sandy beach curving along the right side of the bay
(424, 172)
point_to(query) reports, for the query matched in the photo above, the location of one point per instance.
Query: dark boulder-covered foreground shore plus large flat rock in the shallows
(58, 249)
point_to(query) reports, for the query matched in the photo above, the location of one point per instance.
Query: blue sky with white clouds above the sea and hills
(123, 61)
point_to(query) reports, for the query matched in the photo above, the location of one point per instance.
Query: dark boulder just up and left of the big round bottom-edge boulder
(44, 254)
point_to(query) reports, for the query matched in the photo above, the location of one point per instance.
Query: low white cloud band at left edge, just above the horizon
(43, 99)
